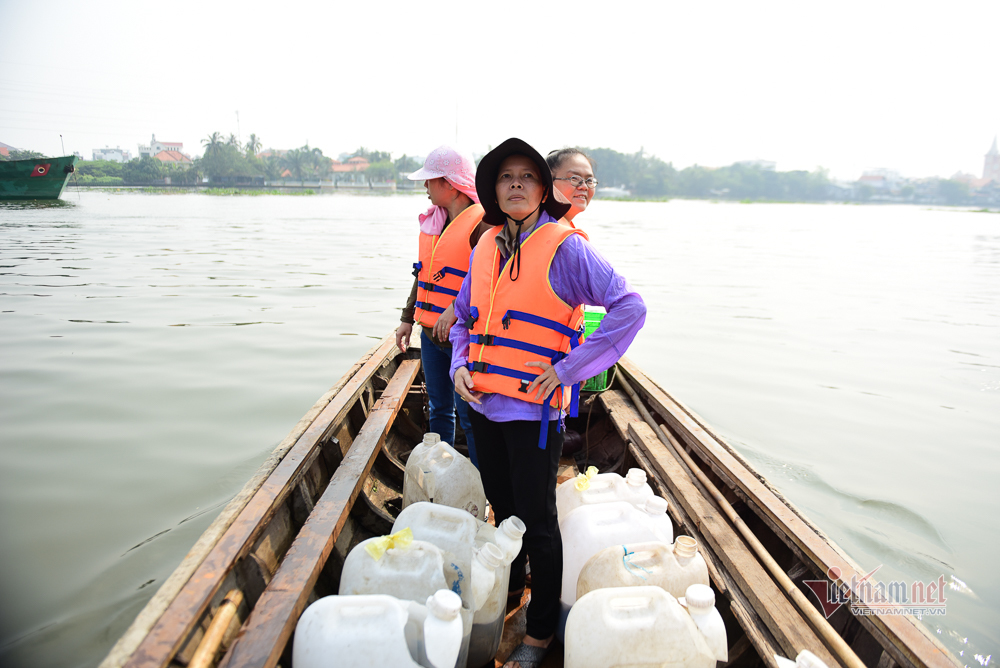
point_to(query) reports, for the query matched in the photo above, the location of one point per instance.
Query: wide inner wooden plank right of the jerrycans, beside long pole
(784, 621)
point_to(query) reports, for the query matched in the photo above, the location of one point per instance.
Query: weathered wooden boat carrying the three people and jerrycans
(336, 480)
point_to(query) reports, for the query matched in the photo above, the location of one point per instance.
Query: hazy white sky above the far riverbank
(844, 85)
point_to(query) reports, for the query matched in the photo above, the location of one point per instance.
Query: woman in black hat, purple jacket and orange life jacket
(516, 358)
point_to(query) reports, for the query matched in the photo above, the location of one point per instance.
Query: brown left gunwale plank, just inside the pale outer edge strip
(185, 610)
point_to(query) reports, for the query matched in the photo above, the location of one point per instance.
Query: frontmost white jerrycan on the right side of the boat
(633, 626)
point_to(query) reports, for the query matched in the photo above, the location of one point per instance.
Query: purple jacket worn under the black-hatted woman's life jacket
(579, 275)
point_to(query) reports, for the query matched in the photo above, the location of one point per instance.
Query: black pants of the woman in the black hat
(520, 479)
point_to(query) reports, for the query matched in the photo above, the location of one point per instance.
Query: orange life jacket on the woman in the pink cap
(444, 262)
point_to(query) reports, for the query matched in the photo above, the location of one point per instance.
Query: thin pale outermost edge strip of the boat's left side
(156, 606)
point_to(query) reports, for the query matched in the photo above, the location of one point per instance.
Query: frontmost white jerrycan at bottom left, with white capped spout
(379, 630)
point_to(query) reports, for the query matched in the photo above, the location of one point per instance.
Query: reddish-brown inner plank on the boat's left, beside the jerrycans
(270, 625)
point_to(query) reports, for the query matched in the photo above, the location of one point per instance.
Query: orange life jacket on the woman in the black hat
(513, 322)
